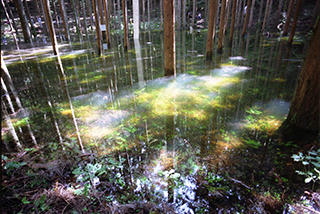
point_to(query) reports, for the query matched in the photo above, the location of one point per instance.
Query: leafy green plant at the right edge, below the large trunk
(311, 163)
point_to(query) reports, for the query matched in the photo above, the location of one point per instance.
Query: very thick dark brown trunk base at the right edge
(305, 107)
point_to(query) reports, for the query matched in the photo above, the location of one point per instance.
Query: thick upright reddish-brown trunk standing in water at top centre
(169, 38)
